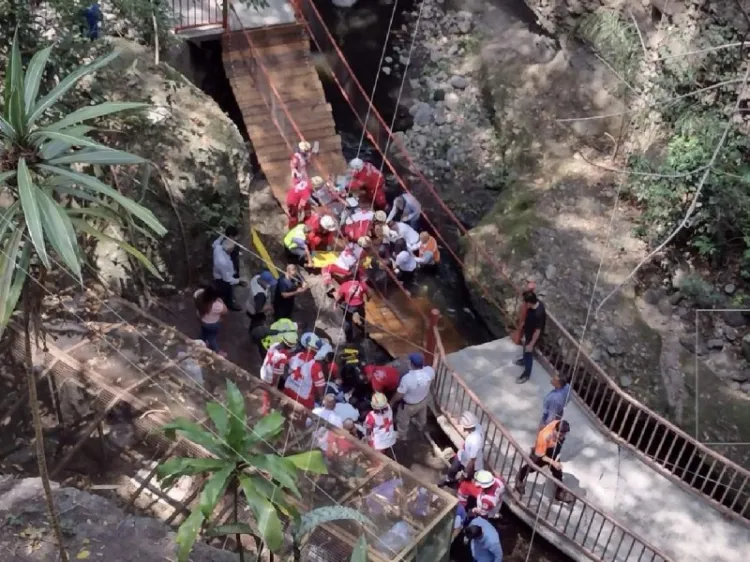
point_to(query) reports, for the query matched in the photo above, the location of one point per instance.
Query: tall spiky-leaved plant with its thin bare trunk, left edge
(47, 204)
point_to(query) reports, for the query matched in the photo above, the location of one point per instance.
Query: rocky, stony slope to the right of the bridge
(485, 92)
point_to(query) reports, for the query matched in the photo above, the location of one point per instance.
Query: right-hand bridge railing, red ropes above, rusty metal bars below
(658, 442)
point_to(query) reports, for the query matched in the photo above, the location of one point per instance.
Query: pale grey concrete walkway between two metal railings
(612, 478)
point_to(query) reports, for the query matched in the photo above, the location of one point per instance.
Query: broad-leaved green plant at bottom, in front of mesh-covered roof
(240, 465)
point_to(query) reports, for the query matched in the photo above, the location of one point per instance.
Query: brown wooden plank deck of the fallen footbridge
(280, 55)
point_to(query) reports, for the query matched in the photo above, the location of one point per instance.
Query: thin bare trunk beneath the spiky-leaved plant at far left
(38, 436)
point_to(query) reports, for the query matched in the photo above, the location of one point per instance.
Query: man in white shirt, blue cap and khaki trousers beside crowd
(412, 394)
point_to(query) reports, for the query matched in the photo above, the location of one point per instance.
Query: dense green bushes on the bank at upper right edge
(692, 96)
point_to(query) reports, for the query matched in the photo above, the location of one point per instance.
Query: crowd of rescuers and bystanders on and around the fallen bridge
(376, 403)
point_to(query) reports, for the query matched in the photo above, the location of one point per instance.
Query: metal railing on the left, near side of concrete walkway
(585, 528)
